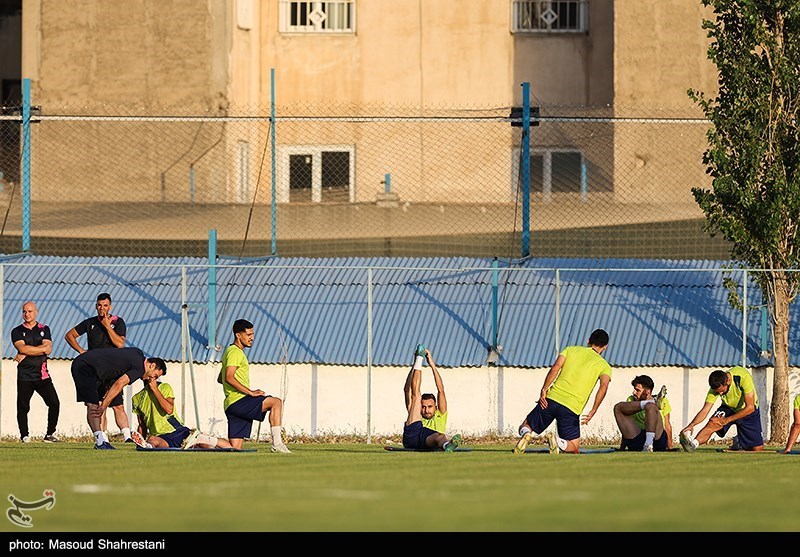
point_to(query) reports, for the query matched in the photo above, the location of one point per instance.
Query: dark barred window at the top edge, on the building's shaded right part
(549, 16)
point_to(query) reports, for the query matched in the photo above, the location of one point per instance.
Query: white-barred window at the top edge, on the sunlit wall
(336, 16)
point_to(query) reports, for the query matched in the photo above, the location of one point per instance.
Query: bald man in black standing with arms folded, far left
(33, 343)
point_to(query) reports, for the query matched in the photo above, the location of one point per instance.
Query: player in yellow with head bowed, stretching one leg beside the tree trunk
(739, 407)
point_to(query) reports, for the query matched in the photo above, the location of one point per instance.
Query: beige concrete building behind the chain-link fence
(413, 93)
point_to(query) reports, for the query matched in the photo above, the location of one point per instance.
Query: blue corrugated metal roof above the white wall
(657, 312)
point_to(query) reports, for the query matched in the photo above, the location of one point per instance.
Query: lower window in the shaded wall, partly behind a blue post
(552, 171)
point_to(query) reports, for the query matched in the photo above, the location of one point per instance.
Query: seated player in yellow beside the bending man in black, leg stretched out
(159, 425)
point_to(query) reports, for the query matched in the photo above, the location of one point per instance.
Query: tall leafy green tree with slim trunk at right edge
(753, 159)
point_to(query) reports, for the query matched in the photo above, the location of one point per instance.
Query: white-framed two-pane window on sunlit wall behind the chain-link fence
(316, 174)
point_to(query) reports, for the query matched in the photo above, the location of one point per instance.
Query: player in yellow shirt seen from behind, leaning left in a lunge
(565, 392)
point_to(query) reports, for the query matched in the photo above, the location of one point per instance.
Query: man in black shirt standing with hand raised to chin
(104, 331)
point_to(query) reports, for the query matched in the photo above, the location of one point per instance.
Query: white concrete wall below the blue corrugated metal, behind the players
(328, 400)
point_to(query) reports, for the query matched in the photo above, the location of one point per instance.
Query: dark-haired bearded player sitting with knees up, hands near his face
(643, 420)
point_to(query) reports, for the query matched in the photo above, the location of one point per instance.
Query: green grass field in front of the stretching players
(363, 488)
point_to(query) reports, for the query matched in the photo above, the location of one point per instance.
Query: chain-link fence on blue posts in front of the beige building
(343, 181)
